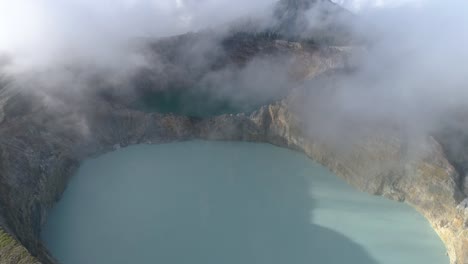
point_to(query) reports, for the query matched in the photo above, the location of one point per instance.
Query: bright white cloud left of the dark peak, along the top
(38, 33)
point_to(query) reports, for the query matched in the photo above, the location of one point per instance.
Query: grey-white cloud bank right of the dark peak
(416, 62)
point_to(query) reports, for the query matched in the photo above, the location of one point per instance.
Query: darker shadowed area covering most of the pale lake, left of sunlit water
(239, 210)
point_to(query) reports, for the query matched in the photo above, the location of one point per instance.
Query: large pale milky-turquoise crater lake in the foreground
(228, 203)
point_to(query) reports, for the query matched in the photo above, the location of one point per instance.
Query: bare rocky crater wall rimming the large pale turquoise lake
(36, 160)
